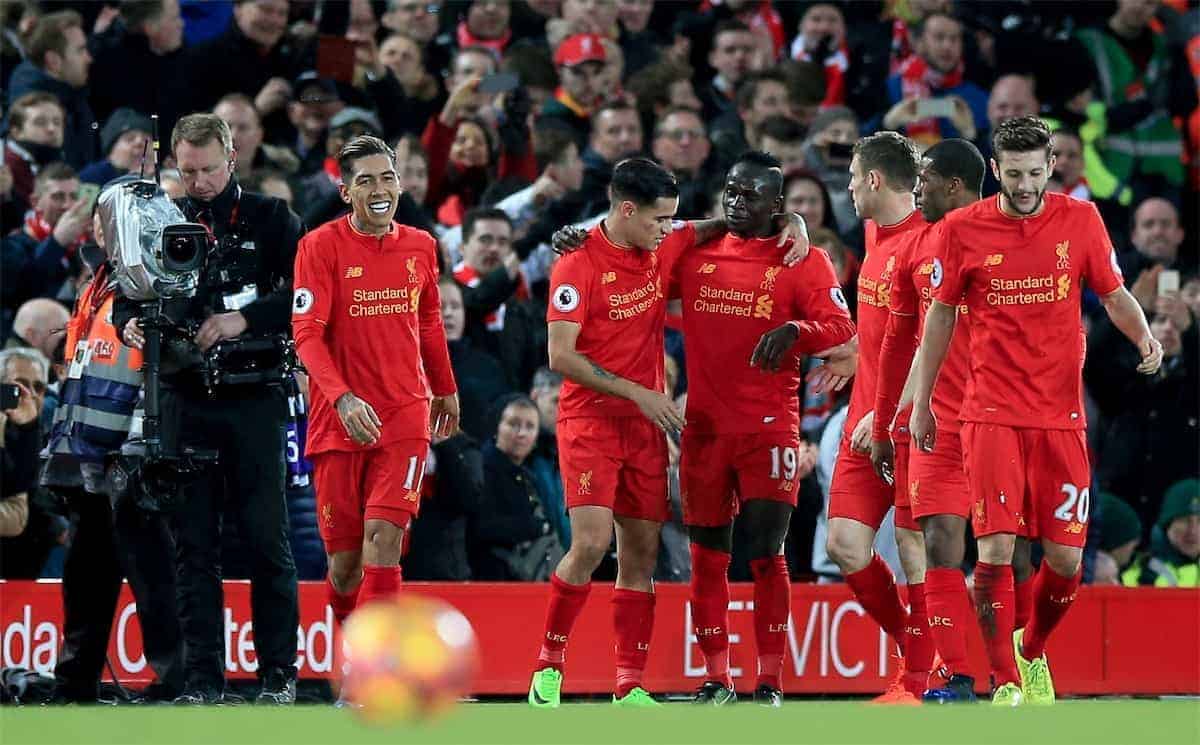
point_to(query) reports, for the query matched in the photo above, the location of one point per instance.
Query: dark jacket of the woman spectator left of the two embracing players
(511, 514)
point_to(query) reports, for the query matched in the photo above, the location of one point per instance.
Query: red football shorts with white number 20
(1031, 483)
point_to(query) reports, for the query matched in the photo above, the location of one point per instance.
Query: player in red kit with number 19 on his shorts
(742, 452)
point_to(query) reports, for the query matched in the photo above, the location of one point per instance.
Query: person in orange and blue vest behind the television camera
(113, 538)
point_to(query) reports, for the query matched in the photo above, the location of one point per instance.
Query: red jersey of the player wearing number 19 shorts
(735, 291)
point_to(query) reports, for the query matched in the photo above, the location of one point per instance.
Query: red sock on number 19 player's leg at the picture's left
(711, 610)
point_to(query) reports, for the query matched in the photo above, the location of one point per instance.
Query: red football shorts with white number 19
(721, 472)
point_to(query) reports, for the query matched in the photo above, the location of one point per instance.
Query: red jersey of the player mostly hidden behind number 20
(919, 271)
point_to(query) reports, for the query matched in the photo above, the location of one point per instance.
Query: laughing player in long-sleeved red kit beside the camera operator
(368, 325)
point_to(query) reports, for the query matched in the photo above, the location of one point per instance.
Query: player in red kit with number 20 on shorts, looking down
(1018, 263)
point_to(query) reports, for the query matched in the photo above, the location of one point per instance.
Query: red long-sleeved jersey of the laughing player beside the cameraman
(368, 319)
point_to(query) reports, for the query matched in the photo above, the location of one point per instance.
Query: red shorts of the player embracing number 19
(616, 464)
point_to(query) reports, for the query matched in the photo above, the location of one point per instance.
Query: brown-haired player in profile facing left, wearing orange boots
(884, 173)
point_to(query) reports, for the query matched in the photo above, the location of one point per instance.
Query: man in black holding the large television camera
(245, 291)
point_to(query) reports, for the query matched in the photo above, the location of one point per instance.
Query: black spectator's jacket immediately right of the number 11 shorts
(437, 542)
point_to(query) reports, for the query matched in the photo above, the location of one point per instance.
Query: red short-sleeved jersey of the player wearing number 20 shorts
(1021, 279)
